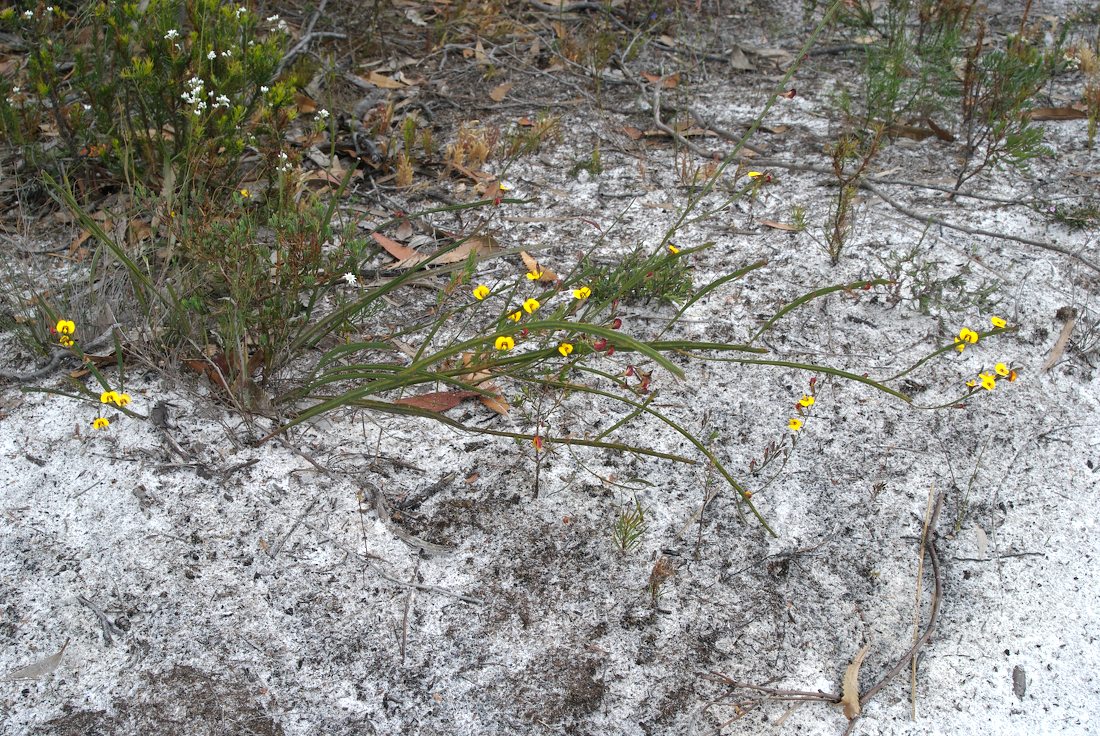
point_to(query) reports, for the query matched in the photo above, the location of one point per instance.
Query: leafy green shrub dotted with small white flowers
(177, 90)
